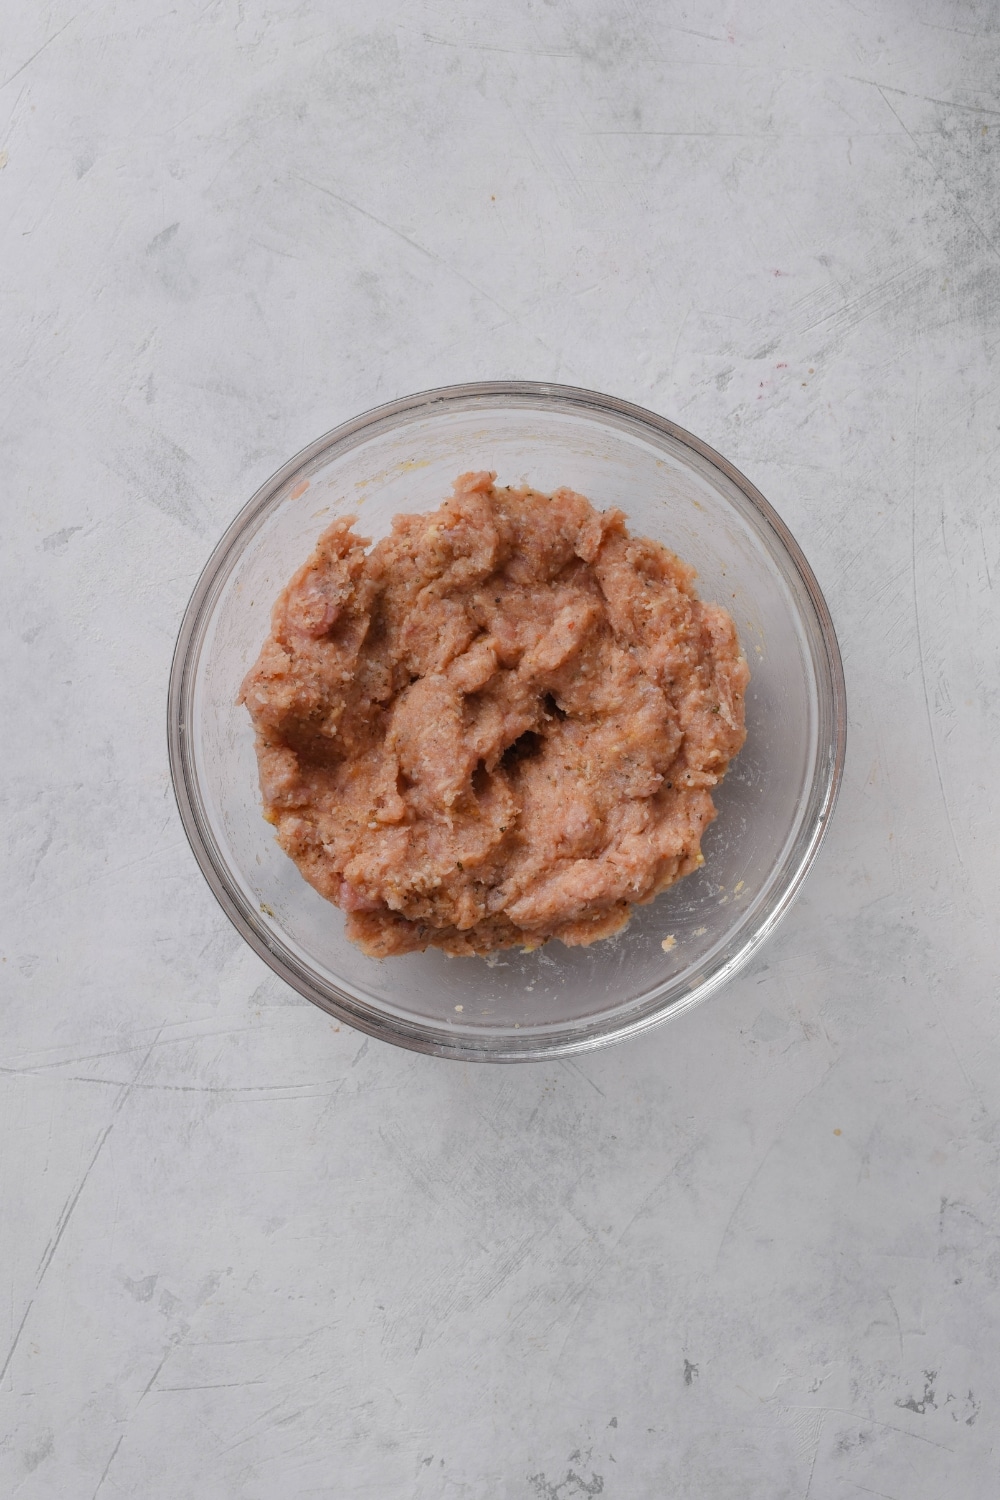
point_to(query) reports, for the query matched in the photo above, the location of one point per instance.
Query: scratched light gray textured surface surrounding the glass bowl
(248, 1253)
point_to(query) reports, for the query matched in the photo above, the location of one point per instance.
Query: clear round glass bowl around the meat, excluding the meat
(773, 806)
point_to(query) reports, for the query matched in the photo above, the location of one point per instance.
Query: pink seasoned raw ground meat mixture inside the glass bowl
(497, 727)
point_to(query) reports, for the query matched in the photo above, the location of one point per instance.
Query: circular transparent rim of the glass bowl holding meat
(440, 1040)
